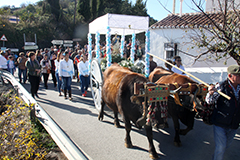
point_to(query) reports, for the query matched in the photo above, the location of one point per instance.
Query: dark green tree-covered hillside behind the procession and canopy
(61, 19)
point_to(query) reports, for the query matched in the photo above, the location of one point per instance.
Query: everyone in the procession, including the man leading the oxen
(65, 65)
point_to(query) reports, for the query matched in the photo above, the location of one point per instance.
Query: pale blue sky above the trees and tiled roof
(154, 8)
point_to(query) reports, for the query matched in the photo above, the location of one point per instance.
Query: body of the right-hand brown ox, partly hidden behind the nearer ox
(177, 112)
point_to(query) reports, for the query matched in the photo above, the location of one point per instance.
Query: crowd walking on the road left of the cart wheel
(36, 66)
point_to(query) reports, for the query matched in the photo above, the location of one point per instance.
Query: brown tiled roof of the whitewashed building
(188, 20)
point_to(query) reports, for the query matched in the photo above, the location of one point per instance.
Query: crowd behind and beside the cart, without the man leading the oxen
(64, 65)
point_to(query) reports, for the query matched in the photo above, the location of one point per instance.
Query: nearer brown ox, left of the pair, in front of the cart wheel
(118, 88)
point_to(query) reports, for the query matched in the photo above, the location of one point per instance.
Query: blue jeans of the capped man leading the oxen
(223, 137)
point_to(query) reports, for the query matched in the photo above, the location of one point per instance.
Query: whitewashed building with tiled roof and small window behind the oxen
(173, 36)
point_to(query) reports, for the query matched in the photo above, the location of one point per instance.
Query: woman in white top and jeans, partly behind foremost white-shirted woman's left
(57, 64)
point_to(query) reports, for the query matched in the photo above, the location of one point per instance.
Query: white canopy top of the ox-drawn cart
(119, 24)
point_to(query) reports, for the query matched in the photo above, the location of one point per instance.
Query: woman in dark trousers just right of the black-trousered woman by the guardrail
(45, 63)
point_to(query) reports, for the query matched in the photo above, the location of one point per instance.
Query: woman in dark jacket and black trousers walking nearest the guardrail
(33, 72)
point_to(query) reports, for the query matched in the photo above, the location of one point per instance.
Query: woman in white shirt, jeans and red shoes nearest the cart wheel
(84, 74)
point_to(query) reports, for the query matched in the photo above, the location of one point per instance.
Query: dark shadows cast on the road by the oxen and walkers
(198, 144)
